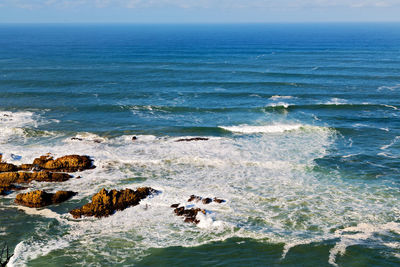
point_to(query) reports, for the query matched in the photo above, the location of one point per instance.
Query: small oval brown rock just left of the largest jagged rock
(40, 198)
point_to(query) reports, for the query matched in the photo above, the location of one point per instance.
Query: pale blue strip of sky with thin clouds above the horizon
(198, 11)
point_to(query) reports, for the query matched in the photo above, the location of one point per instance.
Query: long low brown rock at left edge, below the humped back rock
(26, 177)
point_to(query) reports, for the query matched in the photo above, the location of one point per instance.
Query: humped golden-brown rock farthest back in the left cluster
(70, 163)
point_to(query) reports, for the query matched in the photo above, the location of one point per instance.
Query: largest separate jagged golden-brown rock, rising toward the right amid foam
(105, 203)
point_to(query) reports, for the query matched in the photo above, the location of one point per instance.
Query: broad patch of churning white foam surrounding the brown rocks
(271, 191)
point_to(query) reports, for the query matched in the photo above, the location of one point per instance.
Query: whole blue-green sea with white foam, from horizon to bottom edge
(303, 128)
